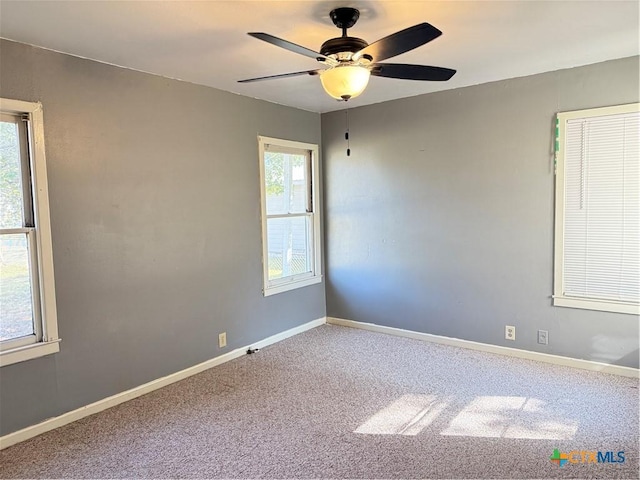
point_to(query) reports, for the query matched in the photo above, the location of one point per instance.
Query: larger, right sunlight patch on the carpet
(511, 417)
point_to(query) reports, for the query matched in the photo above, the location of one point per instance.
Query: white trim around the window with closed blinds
(559, 299)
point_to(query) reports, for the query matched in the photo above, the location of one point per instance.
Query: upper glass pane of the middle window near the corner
(286, 183)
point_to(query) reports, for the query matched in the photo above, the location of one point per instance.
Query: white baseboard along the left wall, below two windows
(100, 405)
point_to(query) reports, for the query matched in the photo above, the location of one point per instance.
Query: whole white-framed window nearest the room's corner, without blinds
(290, 221)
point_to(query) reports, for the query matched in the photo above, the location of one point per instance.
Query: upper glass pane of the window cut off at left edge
(11, 202)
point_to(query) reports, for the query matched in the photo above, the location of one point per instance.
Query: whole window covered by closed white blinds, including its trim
(598, 209)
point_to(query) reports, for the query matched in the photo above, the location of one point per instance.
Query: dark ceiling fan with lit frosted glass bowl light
(350, 61)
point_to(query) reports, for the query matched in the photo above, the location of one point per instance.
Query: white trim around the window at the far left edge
(49, 343)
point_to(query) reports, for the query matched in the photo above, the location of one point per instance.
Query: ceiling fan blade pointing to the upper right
(400, 42)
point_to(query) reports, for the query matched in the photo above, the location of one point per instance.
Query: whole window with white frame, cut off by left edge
(28, 327)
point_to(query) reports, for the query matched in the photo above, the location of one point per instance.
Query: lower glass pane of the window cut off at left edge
(16, 309)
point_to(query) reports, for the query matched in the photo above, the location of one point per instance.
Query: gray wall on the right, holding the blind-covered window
(441, 220)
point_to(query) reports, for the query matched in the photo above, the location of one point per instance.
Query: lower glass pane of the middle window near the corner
(288, 246)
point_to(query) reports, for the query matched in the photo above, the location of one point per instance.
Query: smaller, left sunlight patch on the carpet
(408, 415)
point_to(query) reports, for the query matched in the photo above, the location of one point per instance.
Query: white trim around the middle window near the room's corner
(315, 276)
